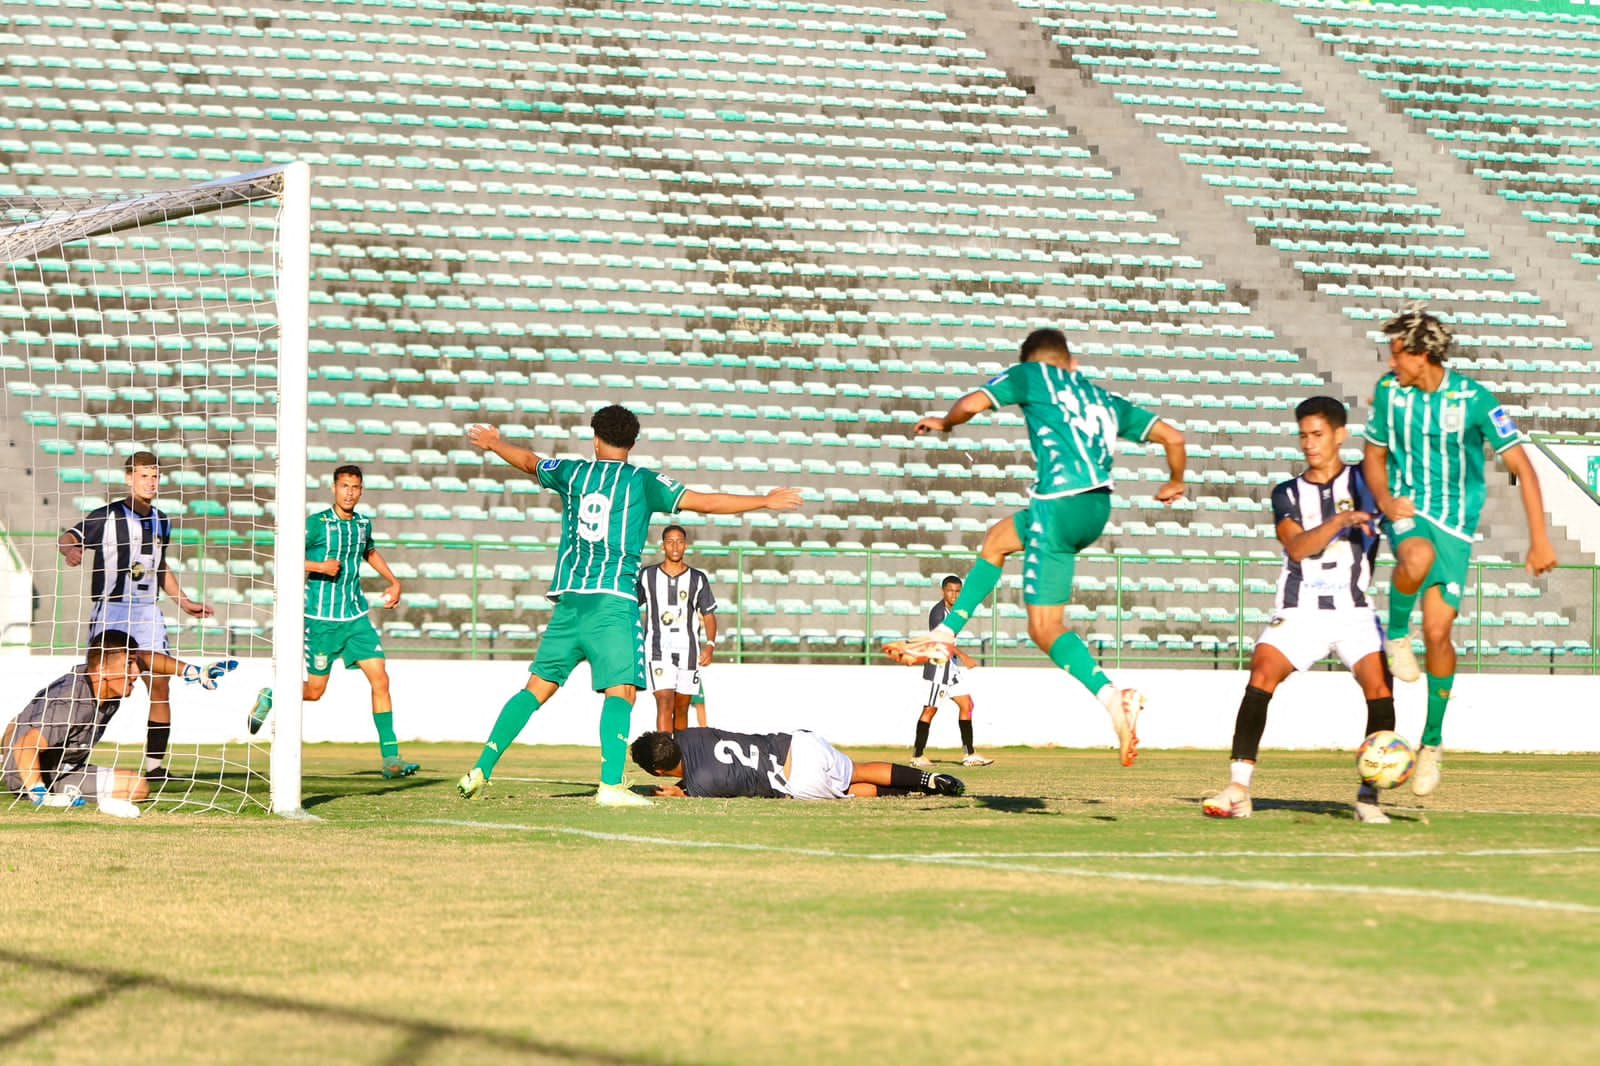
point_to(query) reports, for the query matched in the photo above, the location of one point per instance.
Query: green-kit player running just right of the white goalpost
(338, 542)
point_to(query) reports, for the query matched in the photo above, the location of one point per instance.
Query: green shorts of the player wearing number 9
(599, 630)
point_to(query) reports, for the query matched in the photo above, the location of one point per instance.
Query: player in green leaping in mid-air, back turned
(1074, 428)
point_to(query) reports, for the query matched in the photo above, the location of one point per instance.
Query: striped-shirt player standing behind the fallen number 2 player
(673, 593)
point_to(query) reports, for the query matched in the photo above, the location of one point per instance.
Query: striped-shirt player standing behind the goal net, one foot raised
(129, 542)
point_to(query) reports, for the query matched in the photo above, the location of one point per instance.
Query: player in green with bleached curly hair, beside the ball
(1425, 465)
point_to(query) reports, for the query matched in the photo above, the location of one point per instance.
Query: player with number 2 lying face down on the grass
(775, 766)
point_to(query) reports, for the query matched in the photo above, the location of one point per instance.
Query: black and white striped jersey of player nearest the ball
(1343, 572)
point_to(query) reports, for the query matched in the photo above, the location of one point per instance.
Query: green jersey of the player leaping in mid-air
(1073, 425)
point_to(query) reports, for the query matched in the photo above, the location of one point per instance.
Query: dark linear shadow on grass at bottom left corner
(417, 1040)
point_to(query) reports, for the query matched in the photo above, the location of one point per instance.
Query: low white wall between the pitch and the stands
(860, 705)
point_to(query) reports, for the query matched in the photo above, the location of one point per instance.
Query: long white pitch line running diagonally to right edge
(1190, 881)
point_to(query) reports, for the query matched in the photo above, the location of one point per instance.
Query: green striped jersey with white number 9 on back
(606, 523)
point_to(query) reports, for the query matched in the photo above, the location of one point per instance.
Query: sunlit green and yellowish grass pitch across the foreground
(1065, 912)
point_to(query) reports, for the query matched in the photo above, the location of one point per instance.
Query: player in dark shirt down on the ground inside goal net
(46, 751)
